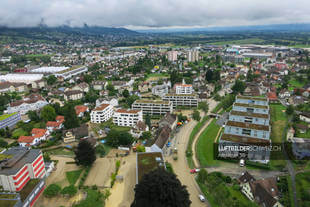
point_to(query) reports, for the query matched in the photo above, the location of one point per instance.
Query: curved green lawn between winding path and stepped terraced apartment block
(204, 149)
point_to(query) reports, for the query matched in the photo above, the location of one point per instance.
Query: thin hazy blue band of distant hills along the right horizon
(273, 27)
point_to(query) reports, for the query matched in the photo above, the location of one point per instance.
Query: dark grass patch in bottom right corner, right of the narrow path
(303, 189)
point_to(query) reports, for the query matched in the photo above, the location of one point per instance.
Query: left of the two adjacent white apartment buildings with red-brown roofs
(101, 113)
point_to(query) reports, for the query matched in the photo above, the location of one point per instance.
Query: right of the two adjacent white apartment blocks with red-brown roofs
(124, 117)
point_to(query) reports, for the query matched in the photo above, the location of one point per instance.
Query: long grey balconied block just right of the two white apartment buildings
(153, 107)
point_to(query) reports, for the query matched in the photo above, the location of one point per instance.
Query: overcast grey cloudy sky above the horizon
(138, 14)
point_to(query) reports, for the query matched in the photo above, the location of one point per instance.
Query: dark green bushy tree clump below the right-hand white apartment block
(117, 138)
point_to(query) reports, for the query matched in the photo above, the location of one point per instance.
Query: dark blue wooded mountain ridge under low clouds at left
(66, 33)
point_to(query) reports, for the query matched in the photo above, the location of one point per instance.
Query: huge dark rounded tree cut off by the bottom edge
(160, 188)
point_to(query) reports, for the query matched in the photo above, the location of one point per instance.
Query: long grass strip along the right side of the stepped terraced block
(278, 123)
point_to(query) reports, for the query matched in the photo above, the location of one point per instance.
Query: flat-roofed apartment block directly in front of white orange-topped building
(189, 100)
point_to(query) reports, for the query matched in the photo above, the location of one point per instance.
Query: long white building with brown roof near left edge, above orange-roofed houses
(32, 102)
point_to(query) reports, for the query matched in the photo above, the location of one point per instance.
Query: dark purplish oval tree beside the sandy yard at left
(85, 153)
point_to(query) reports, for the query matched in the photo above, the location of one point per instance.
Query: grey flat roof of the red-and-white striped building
(20, 157)
